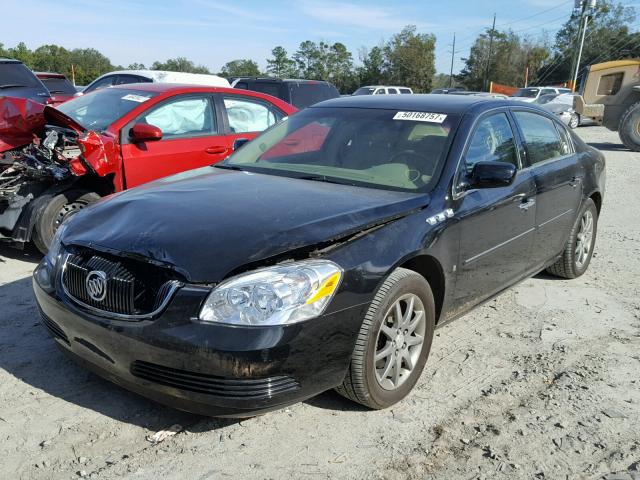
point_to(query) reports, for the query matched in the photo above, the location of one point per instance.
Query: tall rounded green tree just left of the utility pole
(410, 59)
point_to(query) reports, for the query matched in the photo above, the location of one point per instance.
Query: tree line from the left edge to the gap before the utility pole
(406, 59)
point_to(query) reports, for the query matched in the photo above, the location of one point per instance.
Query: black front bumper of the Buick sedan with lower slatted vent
(213, 370)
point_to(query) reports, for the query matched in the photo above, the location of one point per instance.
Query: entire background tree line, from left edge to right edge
(406, 58)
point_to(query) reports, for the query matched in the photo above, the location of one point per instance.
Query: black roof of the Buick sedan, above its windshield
(437, 103)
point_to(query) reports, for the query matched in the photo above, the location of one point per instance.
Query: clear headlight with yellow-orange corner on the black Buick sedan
(274, 296)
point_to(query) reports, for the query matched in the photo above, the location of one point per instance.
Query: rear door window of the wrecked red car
(247, 115)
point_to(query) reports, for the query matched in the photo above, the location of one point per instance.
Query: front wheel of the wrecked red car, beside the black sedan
(59, 209)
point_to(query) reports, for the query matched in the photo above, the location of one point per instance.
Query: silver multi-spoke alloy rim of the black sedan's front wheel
(399, 341)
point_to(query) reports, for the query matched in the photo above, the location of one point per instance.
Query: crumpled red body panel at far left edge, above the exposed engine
(20, 120)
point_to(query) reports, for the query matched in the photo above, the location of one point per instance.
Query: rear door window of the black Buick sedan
(541, 137)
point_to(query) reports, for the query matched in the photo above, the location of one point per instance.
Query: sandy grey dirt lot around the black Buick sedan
(543, 382)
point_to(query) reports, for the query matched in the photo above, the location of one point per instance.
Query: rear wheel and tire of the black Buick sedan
(579, 247)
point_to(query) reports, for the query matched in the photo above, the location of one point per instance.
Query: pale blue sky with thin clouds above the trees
(212, 32)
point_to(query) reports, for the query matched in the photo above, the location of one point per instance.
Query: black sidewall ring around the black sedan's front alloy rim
(412, 284)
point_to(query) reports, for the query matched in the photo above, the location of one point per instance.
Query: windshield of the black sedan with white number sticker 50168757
(383, 149)
